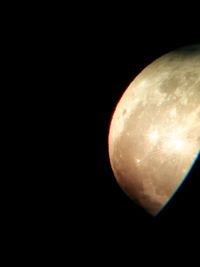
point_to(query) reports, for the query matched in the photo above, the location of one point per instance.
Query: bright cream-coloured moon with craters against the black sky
(154, 136)
